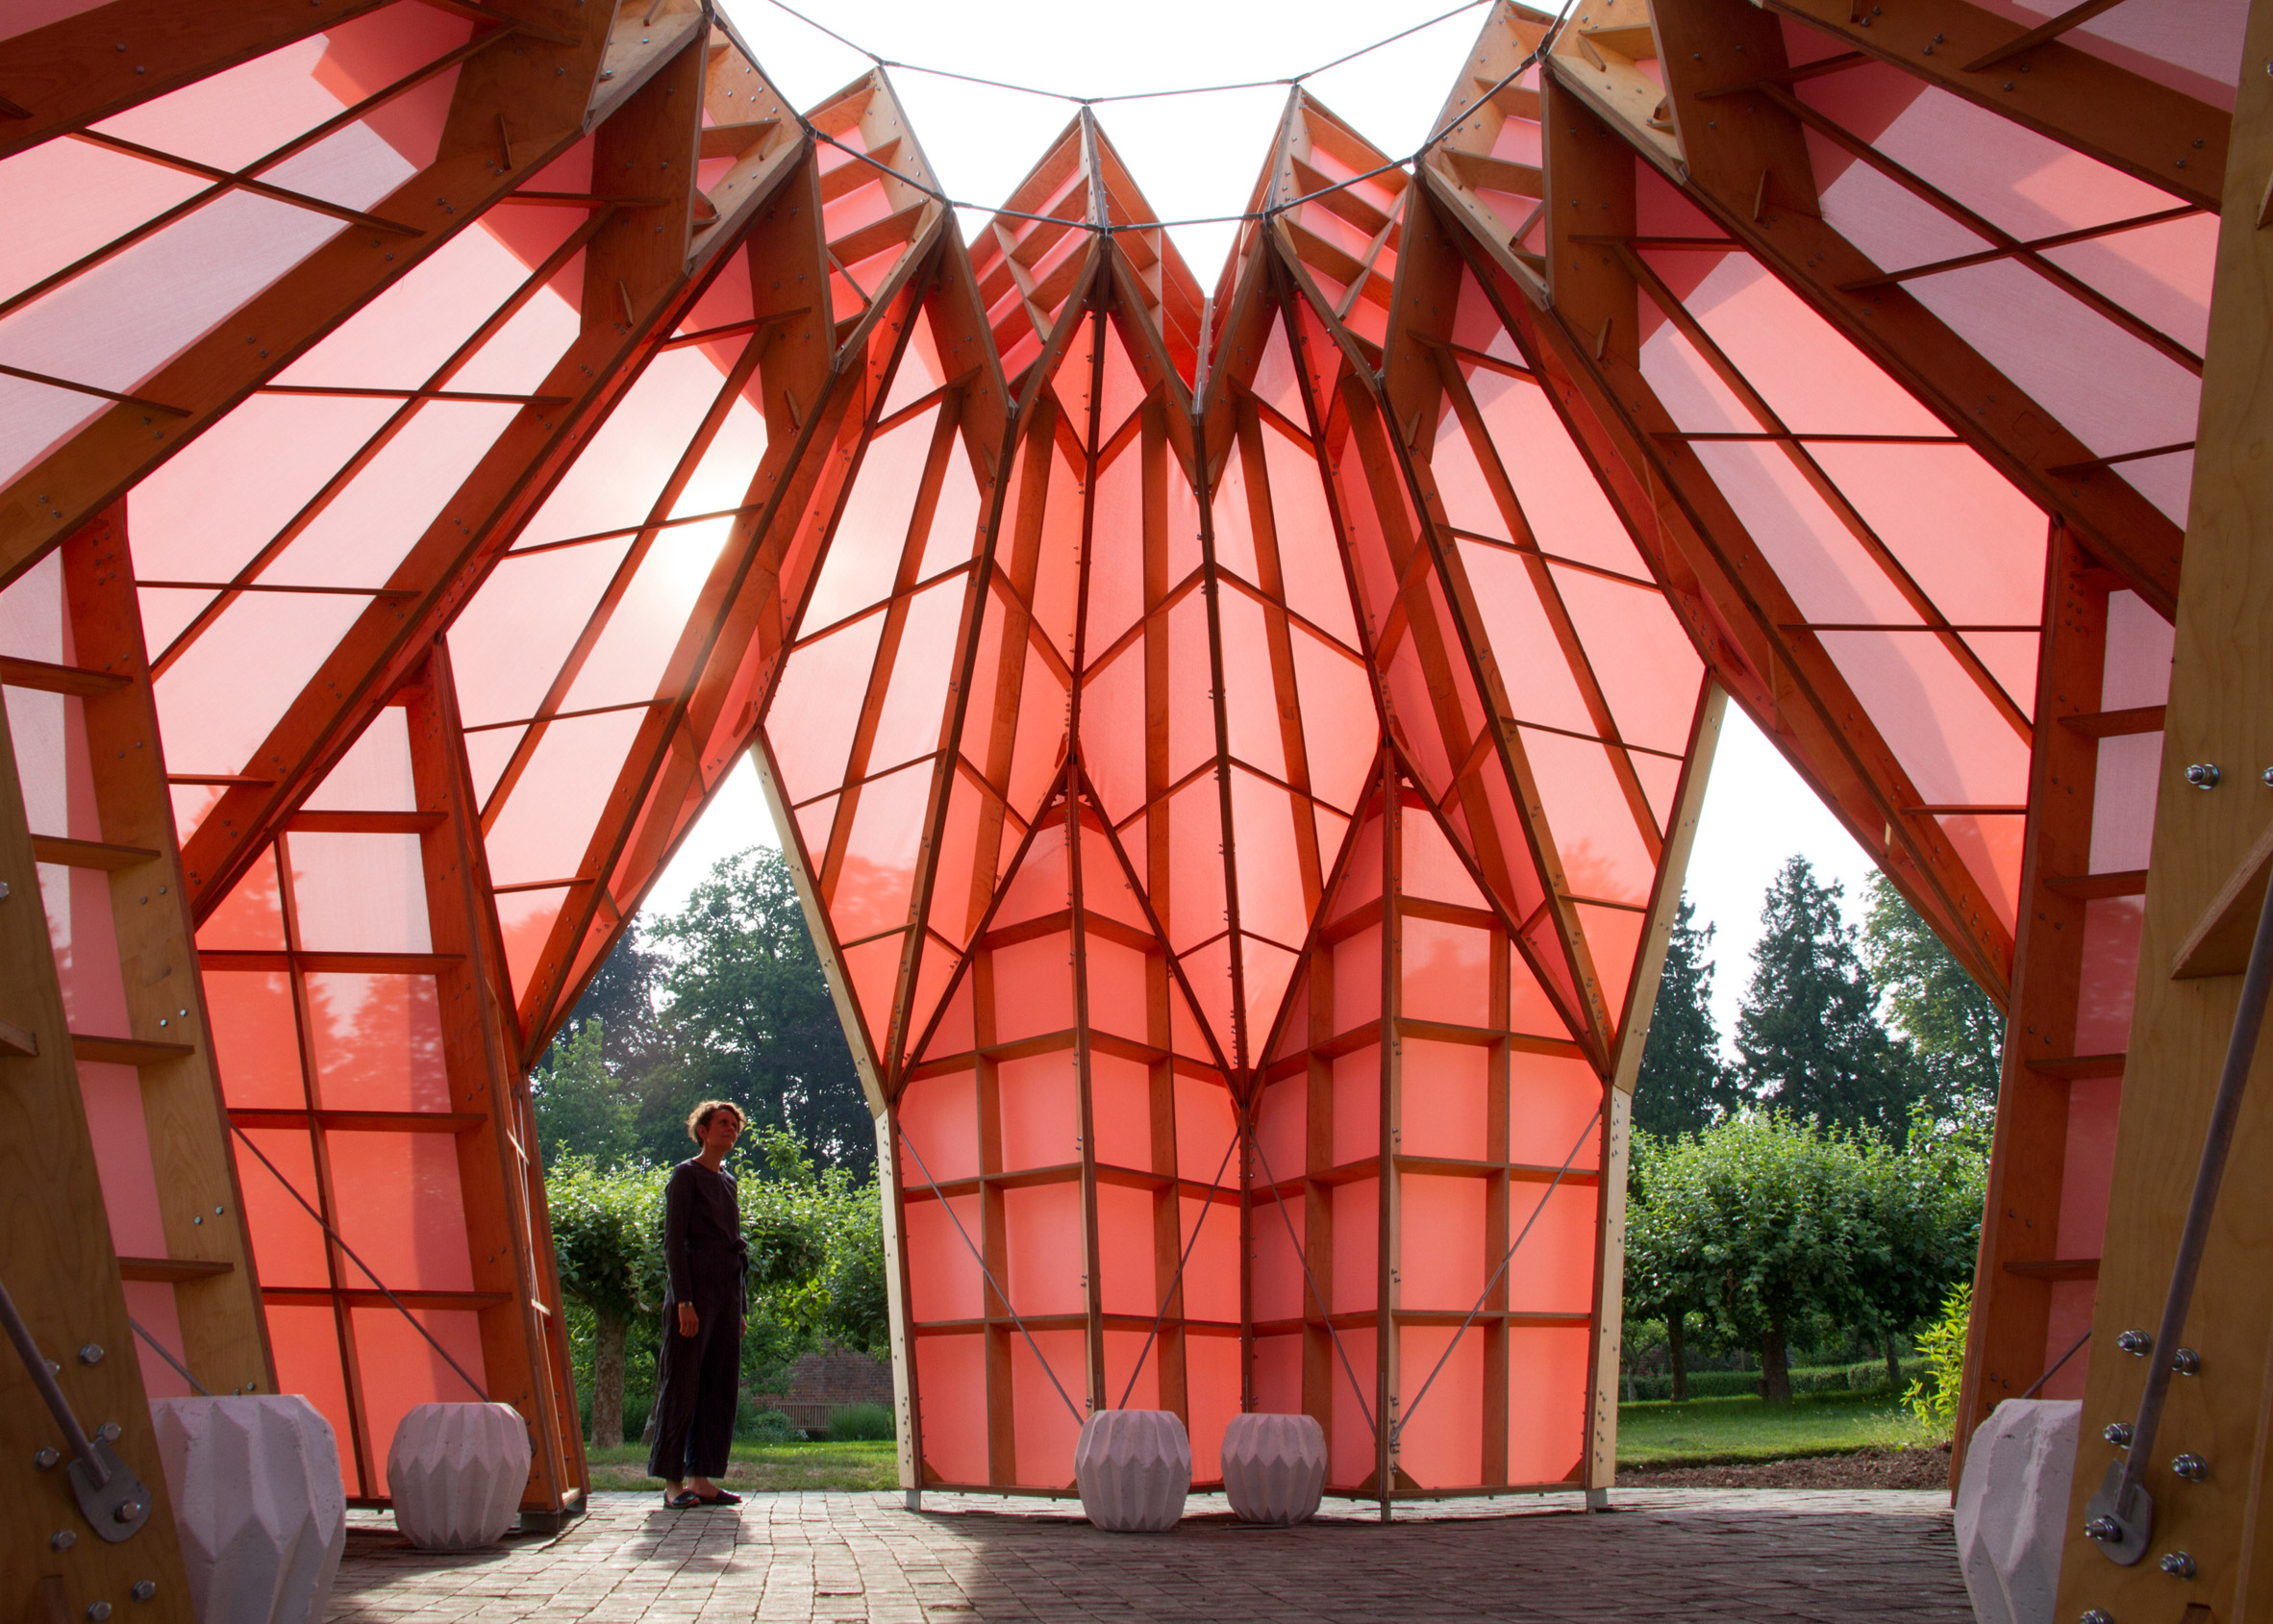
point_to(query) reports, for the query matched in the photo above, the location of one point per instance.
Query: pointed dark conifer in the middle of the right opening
(1808, 1029)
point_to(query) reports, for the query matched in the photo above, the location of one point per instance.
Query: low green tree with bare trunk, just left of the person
(608, 1236)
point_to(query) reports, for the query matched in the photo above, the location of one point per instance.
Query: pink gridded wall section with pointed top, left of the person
(328, 1031)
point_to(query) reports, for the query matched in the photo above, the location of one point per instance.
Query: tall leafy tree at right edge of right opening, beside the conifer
(1954, 1029)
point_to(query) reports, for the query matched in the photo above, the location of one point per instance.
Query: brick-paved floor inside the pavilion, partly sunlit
(863, 1559)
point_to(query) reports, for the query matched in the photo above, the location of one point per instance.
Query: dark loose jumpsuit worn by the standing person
(697, 1382)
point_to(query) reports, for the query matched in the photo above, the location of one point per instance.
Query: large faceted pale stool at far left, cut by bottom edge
(258, 1505)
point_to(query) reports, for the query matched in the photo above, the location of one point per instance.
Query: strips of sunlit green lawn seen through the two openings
(1665, 1434)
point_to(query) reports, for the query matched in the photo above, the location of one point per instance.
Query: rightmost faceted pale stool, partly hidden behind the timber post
(2013, 1509)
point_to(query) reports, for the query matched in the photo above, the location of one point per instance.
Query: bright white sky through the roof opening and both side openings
(1199, 156)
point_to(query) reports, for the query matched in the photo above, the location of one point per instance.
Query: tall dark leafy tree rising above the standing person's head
(749, 1018)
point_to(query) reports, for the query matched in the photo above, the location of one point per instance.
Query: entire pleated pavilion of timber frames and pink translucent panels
(1238, 747)
